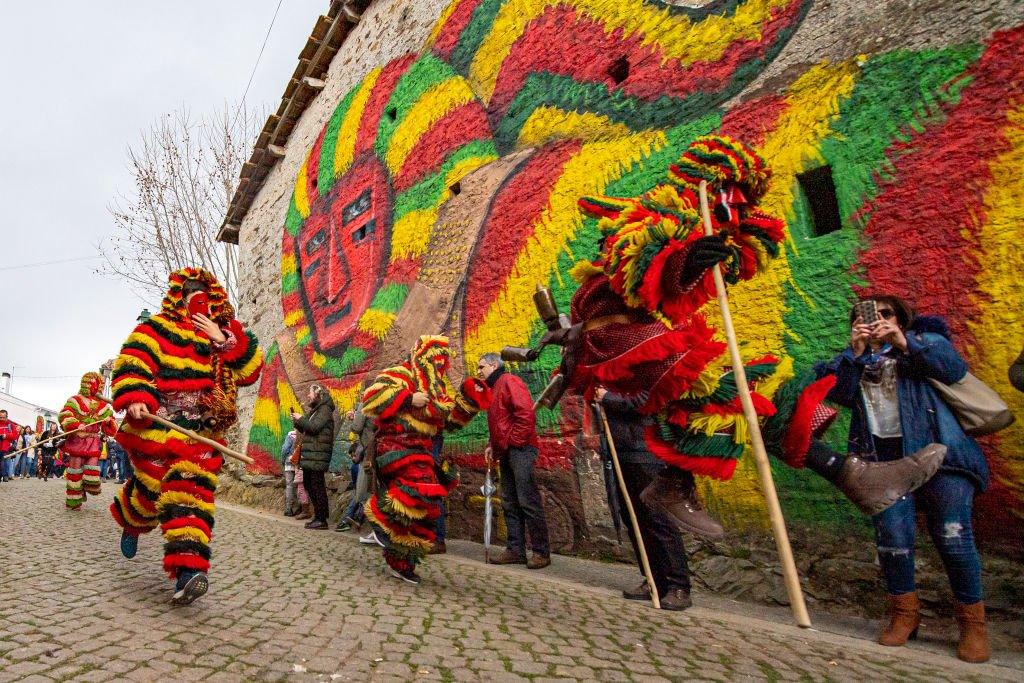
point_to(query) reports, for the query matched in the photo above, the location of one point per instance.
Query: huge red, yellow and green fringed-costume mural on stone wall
(562, 100)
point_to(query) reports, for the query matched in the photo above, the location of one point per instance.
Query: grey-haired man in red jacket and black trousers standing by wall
(515, 445)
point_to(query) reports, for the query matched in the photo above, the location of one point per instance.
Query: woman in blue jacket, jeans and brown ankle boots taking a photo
(884, 377)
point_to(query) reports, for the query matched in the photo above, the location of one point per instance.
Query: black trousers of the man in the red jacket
(522, 503)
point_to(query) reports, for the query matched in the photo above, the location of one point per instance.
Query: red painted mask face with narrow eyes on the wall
(343, 250)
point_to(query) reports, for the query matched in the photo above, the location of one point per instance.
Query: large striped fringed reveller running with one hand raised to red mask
(184, 365)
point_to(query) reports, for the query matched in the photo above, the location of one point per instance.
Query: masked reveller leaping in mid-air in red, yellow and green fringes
(639, 329)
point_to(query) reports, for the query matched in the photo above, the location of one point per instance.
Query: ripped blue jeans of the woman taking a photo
(948, 500)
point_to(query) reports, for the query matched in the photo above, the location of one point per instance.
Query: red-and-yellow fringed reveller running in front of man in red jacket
(411, 403)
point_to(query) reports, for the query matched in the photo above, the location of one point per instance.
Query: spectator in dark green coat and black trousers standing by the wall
(315, 455)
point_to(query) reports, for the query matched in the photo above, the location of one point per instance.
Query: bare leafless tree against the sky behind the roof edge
(185, 176)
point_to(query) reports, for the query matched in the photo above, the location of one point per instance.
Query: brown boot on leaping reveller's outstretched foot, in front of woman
(876, 487)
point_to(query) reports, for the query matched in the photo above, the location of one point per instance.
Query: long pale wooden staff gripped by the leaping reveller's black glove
(757, 443)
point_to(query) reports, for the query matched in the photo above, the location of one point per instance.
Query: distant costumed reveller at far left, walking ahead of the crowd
(89, 413)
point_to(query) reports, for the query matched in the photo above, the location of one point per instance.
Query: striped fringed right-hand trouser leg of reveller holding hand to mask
(187, 508)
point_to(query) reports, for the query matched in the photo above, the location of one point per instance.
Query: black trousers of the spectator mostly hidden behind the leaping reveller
(664, 544)
